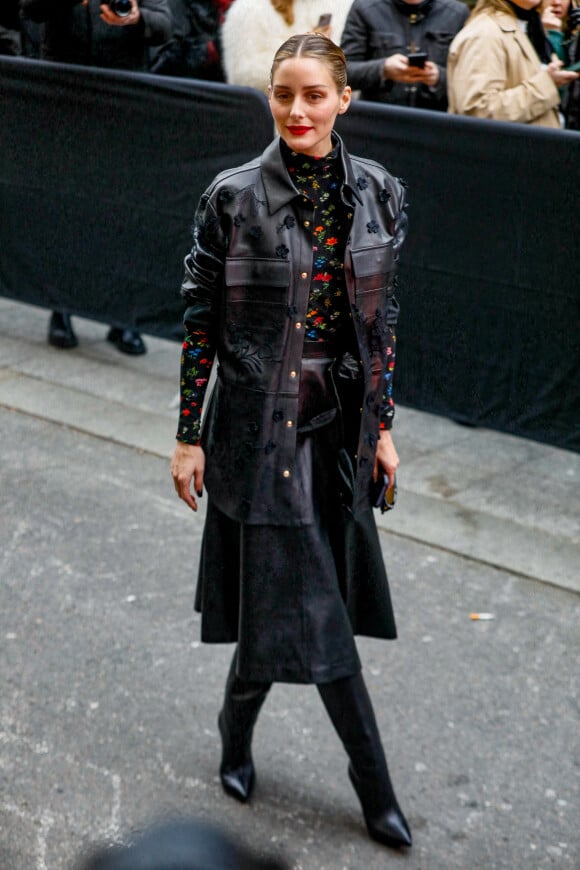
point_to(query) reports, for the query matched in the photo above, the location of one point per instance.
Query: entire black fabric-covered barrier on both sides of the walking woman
(100, 173)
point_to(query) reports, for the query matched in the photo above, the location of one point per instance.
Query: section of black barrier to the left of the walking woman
(100, 174)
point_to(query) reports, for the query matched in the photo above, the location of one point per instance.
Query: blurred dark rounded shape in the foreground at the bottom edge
(179, 845)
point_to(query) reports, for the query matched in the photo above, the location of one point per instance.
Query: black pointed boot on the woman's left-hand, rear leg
(242, 703)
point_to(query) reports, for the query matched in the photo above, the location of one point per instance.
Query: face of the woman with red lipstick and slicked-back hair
(304, 103)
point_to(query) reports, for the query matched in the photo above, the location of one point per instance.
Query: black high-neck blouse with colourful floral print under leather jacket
(319, 179)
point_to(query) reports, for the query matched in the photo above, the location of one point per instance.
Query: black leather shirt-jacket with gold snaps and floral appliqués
(247, 281)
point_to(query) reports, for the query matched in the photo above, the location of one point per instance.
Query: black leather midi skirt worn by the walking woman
(292, 597)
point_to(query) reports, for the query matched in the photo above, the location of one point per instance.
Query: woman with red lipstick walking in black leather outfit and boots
(290, 281)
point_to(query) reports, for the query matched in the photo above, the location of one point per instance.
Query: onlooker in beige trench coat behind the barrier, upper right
(501, 66)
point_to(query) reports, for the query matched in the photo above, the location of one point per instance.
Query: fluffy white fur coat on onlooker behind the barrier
(253, 31)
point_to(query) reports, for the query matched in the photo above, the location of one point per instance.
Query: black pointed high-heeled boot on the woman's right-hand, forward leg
(349, 707)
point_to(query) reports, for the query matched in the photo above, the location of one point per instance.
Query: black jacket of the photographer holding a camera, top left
(75, 33)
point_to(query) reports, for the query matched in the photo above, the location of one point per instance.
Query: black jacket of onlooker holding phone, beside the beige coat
(376, 29)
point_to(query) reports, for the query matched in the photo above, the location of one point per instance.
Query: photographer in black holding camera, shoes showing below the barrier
(92, 33)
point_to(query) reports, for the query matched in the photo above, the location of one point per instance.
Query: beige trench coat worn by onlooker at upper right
(494, 72)
